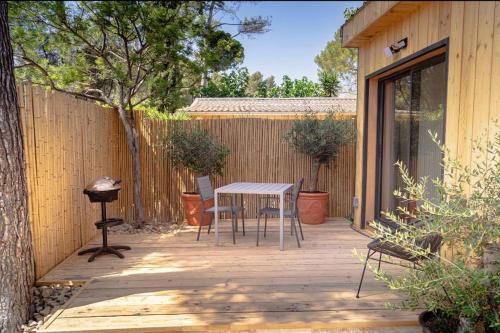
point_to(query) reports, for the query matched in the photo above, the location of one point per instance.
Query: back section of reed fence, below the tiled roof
(258, 154)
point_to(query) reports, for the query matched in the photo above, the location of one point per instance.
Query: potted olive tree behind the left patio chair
(197, 151)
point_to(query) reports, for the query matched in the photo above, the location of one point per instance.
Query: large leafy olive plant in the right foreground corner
(460, 290)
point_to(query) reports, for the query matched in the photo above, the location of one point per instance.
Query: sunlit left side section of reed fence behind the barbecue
(67, 144)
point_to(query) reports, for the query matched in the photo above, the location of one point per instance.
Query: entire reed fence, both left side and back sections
(69, 142)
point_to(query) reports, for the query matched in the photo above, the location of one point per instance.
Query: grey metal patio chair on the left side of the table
(206, 192)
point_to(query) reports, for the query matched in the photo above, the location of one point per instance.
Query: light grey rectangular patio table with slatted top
(253, 188)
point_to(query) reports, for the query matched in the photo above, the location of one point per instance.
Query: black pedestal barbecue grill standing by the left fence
(104, 190)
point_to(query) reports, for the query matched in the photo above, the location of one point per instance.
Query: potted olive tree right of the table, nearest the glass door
(321, 140)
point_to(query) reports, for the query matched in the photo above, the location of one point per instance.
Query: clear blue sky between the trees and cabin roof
(299, 31)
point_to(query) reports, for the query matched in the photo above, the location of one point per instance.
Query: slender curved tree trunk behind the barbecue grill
(133, 146)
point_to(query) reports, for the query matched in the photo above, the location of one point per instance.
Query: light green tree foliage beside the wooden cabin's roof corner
(336, 60)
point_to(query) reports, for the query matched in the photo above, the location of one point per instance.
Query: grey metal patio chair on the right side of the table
(292, 212)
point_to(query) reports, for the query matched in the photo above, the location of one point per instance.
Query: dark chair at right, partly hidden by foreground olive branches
(432, 241)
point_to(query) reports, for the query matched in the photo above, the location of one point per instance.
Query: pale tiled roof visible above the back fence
(272, 105)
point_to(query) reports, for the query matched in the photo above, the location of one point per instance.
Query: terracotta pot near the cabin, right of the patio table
(312, 207)
